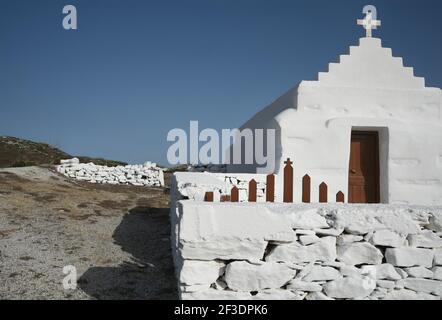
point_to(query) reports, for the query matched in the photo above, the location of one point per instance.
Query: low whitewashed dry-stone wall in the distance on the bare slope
(148, 175)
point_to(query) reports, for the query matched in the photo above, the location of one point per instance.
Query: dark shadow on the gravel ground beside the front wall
(144, 233)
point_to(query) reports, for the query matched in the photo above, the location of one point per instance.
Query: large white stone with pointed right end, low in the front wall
(243, 276)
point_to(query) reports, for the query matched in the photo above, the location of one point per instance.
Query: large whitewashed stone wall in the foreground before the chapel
(305, 251)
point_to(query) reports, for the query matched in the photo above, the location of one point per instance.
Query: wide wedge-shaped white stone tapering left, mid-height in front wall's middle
(323, 250)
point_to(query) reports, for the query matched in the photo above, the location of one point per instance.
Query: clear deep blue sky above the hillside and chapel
(136, 69)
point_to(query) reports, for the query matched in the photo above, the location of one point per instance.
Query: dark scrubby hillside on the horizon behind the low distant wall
(16, 152)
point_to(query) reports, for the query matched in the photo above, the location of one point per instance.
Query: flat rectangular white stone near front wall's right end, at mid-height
(409, 257)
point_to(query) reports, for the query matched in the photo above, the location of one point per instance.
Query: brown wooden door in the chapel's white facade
(363, 184)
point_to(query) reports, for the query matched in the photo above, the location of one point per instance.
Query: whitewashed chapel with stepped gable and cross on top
(368, 127)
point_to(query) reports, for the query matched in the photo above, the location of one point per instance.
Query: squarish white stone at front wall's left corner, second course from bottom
(200, 272)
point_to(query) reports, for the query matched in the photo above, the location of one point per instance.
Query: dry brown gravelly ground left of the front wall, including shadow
(117, 238)
